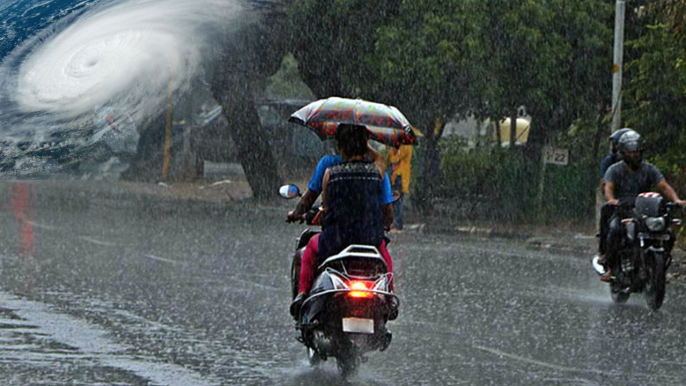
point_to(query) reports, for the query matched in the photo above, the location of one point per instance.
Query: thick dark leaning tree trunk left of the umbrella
(248, 57)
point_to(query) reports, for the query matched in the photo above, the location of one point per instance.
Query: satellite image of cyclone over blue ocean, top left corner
(79, 79)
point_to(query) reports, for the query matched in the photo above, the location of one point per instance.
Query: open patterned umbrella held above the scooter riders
(386, 124)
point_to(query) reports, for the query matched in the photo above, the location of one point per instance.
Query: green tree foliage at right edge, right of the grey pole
(655, 95)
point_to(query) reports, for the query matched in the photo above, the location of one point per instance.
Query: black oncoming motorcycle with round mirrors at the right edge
(644, 254)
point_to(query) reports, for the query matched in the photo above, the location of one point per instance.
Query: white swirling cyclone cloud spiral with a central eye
(123, 55)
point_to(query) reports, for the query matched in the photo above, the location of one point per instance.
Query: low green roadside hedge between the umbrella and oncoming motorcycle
(507, 181)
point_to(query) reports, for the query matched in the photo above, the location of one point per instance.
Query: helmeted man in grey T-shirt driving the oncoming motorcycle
(624, 181)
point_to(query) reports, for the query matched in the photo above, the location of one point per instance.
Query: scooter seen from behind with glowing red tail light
(346, 311)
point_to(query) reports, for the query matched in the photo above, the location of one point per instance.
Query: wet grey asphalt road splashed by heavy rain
(102, 291)
